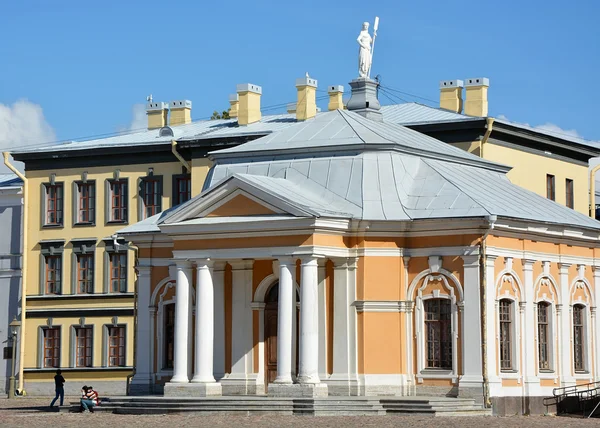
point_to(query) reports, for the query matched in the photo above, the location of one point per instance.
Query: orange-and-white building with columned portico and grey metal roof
(346, 255)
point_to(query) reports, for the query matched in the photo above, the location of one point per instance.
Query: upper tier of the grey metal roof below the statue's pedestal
(345, 130)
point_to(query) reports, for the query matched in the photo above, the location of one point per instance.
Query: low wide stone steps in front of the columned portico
(260, 405)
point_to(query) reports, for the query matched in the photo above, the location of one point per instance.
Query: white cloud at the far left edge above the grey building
(22, 124)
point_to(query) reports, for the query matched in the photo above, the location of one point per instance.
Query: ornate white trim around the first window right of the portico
(422, 371)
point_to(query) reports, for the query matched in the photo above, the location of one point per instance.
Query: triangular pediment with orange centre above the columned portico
(236, 197)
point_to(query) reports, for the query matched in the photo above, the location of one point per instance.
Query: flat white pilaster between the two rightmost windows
(566, 377)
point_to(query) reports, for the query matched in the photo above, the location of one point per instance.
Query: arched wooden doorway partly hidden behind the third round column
(270, 333)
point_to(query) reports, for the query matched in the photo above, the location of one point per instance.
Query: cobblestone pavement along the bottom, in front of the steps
(24, 412)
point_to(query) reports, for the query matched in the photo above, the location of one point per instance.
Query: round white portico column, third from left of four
(286, 309)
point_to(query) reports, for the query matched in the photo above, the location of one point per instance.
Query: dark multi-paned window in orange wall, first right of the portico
(438, 327)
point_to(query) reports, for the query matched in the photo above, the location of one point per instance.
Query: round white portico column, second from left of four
(204, 323)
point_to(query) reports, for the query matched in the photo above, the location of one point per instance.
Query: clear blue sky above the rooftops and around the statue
(84, 65)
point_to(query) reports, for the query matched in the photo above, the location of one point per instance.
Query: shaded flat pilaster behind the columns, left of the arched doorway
(242, 326)
